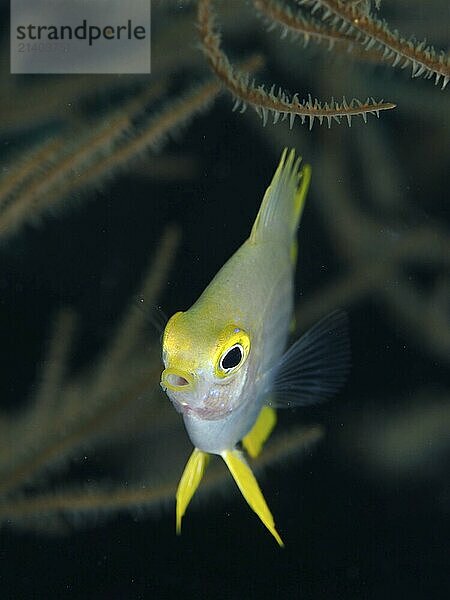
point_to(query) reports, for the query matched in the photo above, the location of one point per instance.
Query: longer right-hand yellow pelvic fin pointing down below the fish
(246, 482)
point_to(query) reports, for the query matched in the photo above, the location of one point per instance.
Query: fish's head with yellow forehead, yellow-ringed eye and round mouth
(206, 366)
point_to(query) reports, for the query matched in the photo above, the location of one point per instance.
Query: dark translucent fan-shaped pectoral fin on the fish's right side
(316, 366)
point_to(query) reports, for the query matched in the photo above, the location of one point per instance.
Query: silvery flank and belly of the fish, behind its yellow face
(256, 288)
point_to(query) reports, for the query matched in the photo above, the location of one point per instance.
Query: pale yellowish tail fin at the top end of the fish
(283, 202)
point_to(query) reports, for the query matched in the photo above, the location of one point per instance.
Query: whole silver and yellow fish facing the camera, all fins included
(226, 369)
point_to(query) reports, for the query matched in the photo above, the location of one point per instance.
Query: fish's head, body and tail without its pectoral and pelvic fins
(252, 293)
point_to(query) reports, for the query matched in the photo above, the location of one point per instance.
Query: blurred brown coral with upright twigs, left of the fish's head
(48, 438)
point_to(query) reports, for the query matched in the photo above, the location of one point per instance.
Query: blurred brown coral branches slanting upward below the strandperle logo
(53, 170)
